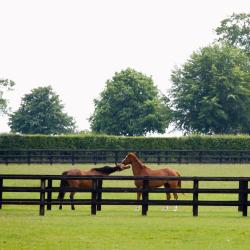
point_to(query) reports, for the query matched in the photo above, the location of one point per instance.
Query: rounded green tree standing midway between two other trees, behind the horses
(130, 104)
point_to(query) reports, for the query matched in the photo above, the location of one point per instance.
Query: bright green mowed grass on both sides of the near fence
(120, 227)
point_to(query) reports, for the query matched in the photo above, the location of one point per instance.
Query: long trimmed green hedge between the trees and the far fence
(11, 141)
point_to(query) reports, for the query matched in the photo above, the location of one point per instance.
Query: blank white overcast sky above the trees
(76, 46)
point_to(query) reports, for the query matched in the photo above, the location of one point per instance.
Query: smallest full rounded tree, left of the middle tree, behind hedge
(40, 112)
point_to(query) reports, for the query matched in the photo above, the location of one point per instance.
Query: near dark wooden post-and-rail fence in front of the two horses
(46, 188)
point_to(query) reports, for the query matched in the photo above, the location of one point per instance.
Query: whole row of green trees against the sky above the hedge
(209, 94)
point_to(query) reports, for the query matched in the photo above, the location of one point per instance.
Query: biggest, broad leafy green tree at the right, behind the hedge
(211, 91)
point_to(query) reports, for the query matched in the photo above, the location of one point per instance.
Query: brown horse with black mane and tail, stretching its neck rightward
(103, 171)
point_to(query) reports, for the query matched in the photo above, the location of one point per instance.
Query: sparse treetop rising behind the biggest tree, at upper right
(235, 31)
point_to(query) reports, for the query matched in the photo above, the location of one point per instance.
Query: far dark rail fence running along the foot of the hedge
(108, 156)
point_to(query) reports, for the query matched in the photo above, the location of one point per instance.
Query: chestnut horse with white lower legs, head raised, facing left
(139, 169)
